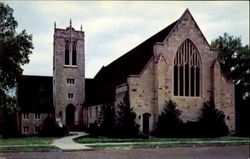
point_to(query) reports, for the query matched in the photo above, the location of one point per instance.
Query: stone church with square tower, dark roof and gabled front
(176, 63)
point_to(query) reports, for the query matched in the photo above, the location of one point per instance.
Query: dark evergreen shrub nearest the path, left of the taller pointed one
(106, 120)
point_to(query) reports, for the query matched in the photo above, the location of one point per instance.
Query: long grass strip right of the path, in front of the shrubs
(114, 140)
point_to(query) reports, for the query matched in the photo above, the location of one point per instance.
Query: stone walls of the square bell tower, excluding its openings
(61, 72)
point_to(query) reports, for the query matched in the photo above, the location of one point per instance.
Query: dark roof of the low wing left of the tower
(35, 94)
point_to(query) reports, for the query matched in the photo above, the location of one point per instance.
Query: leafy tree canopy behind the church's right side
(234, 61)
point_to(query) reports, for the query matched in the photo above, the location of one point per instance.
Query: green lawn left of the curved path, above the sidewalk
(27, 140)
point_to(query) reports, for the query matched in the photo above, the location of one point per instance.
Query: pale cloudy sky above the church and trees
(112, 28)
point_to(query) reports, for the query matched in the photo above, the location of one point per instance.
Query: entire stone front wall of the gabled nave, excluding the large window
(149, 91)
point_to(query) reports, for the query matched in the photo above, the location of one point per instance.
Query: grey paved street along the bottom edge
(210, 152)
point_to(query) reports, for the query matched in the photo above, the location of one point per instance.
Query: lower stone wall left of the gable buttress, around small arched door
(142, 94)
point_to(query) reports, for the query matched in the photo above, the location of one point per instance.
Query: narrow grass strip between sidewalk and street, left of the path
(29, 148)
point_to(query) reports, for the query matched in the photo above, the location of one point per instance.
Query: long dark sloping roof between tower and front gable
(131, 63)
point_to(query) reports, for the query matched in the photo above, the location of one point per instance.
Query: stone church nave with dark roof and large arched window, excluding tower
(178, 64)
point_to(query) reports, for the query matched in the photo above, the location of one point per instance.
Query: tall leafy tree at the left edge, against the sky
(15, 49)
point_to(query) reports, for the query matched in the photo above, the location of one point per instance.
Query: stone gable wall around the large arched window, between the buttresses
(187, 29)
